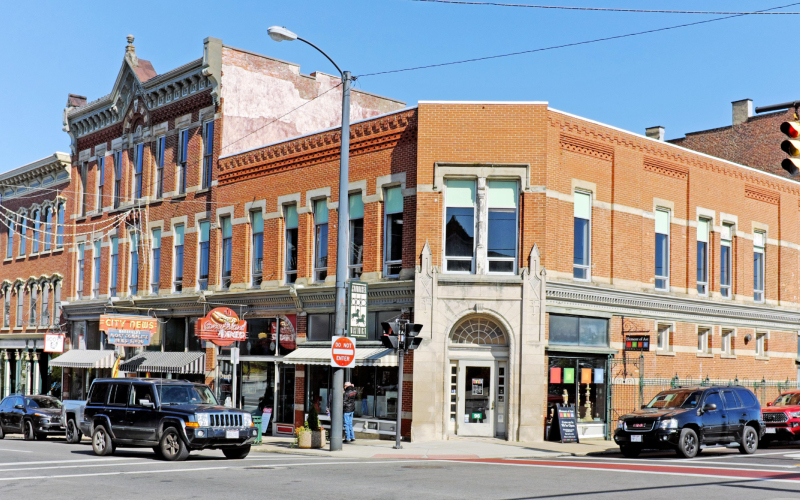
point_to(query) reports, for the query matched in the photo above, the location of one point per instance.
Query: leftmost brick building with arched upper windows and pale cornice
(33, 269)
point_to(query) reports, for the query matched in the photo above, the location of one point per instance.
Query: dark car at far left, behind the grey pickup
(35, 417)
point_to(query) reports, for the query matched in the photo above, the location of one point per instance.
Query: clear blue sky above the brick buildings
(682, 79)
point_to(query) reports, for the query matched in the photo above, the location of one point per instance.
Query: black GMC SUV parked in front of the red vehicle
(682, 419)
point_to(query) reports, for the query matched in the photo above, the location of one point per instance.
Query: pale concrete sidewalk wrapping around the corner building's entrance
(453, 448)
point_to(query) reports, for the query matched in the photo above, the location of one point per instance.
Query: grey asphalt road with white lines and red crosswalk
(55, 469)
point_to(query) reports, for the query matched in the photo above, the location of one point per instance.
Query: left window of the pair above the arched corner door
(459, 245)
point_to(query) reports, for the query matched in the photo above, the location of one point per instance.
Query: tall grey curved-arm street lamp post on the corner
(280, 34)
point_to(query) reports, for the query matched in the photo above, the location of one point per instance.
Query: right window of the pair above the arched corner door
(501, 243)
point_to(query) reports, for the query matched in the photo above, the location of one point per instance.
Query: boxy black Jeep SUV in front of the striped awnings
(171, 416)
